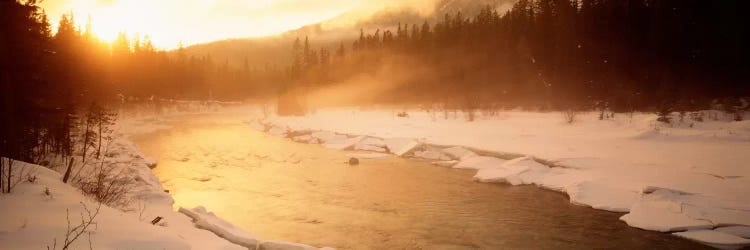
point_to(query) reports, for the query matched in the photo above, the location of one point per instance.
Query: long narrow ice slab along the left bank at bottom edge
(207, 220)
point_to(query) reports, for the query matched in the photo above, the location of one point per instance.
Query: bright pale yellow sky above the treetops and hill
(171, 22)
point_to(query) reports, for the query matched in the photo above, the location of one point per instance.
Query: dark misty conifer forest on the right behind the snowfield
(622, 55)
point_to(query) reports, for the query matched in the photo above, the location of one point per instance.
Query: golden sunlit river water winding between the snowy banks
(281, 190)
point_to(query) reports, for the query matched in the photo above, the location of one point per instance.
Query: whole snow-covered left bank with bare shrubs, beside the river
(42, 209)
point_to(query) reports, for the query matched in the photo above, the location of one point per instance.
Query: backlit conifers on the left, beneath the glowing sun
(55, 85)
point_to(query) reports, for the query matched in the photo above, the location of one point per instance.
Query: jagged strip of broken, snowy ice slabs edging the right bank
(648, 207)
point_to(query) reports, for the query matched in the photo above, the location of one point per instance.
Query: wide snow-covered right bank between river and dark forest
(686, 176)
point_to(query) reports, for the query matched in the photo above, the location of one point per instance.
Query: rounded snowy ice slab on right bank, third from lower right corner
(602, 195)
